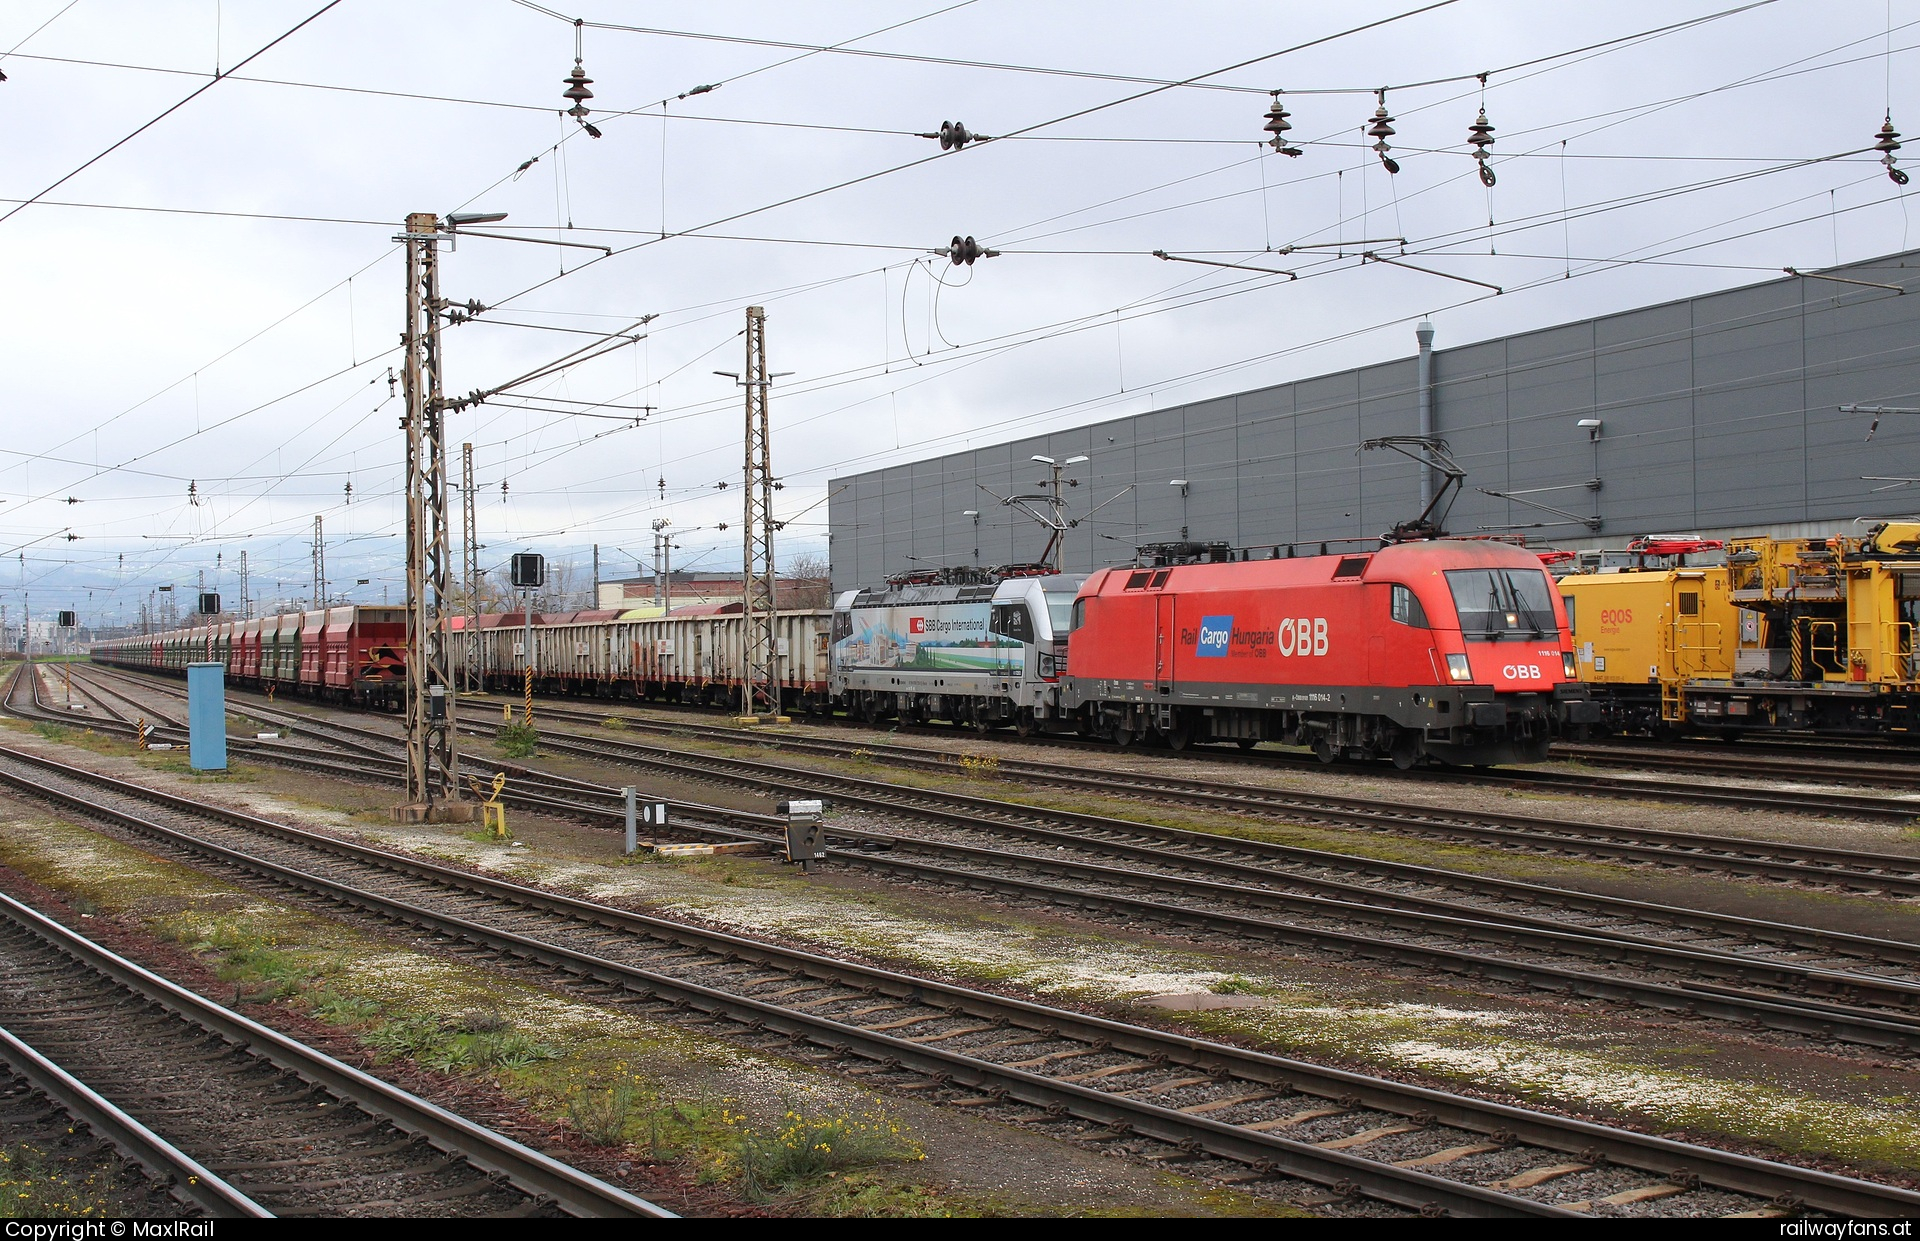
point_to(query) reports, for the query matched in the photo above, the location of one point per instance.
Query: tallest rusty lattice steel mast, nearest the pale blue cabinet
(433, 760)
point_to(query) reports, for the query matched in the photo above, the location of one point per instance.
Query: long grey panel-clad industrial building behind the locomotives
(1716, 414)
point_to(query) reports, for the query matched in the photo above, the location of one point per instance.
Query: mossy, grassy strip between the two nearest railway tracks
(771, 1132)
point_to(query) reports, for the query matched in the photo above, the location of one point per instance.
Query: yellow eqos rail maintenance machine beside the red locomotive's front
(1788, 635)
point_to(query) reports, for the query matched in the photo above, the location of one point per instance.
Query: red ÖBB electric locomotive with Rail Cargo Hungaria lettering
(1447, 648)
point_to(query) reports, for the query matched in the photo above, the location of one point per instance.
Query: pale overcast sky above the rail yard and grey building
(206, 381)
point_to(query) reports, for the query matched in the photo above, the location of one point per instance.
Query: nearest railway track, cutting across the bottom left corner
(256, 1121)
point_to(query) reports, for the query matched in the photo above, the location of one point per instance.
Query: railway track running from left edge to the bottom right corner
(1216, 1109)
